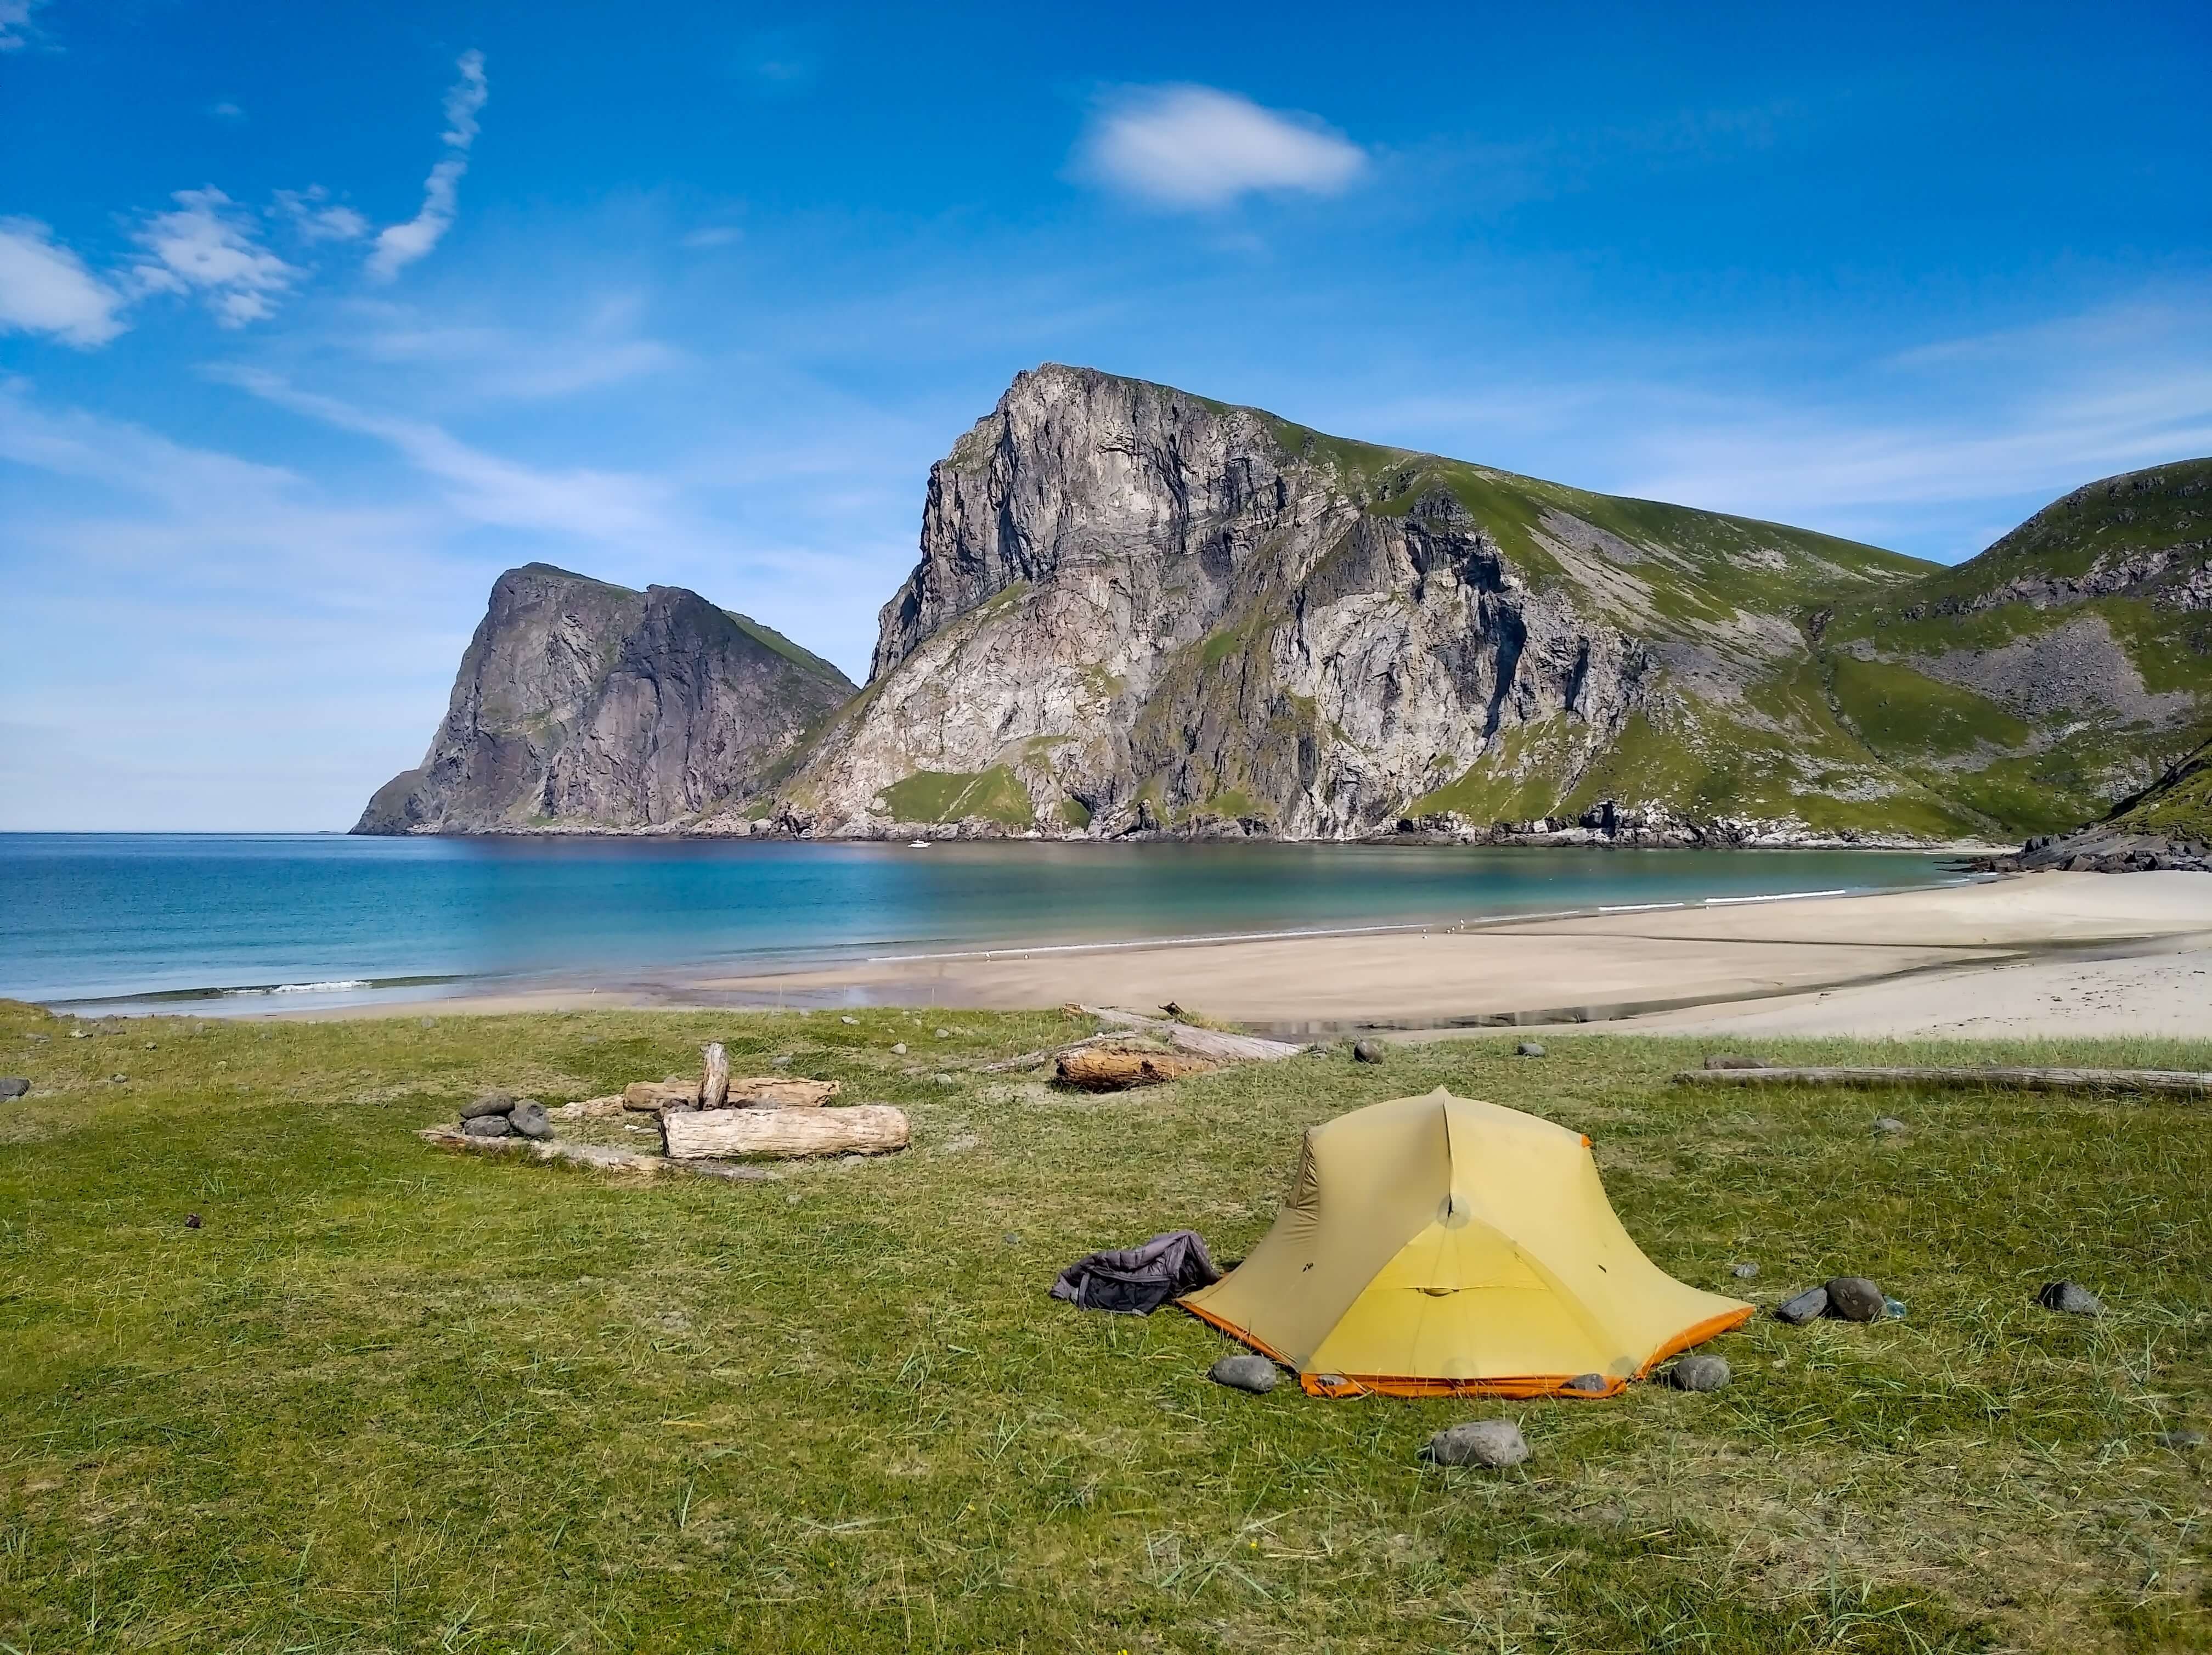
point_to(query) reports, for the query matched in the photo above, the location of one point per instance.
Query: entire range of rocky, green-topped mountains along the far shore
(1147, 612)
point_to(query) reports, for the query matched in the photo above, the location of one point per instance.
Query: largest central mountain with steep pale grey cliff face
(1142, 610)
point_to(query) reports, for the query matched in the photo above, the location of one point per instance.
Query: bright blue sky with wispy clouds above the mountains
(317, 318)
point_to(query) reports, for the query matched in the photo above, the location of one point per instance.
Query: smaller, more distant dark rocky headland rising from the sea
(585, 705)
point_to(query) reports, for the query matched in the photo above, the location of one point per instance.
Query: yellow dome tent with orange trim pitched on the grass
(1437, 1247)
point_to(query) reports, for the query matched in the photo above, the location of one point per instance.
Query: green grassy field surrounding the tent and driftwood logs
(390, 1399)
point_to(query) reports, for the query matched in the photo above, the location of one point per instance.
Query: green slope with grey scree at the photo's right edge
(2058, 672)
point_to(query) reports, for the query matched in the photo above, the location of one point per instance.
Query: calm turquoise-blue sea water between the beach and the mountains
(258, 922)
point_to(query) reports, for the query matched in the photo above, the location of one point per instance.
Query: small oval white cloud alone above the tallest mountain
(1196, 147)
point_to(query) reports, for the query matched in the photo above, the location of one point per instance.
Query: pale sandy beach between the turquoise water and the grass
(2085, 955)
